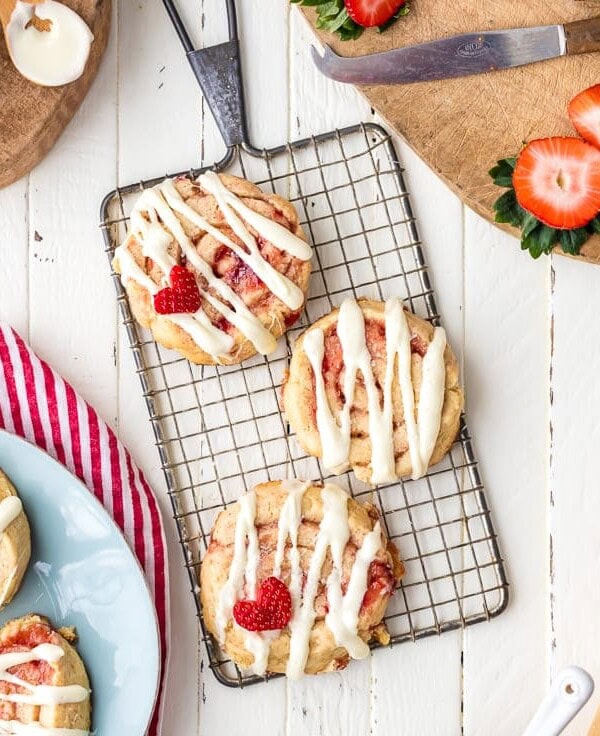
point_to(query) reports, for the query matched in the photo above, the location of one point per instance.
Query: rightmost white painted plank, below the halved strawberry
(575, 469)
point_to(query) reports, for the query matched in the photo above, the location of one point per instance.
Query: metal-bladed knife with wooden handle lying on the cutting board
(464, 55)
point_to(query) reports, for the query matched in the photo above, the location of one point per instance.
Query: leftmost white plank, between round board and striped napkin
(14, 264)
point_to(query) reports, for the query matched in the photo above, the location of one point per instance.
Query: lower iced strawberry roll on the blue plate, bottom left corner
(43, 682)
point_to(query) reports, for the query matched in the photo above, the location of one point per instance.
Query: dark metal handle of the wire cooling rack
(219, 73)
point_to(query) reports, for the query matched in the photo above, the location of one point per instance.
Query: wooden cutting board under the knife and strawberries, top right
(460, 127)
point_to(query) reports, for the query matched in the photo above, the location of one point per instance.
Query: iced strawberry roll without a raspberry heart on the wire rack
(374, 388)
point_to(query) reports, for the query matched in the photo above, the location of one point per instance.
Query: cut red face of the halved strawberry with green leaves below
(558, 181)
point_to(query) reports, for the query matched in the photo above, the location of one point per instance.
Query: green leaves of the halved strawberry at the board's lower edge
(536, 237)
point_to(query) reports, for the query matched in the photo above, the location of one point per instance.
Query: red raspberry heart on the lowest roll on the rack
(271, 610)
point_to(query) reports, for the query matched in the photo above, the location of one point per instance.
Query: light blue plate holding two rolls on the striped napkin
(83, 574)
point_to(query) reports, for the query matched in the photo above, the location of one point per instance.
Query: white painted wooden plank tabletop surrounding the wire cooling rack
(527, 332)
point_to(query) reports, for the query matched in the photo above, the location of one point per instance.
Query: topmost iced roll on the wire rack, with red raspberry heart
(216, 268)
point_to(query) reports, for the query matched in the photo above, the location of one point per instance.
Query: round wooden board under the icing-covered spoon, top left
(32, 117)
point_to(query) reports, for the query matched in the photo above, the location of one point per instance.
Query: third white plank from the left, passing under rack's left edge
(159, 132)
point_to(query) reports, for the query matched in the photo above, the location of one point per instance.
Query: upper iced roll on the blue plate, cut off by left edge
(15, 541)
